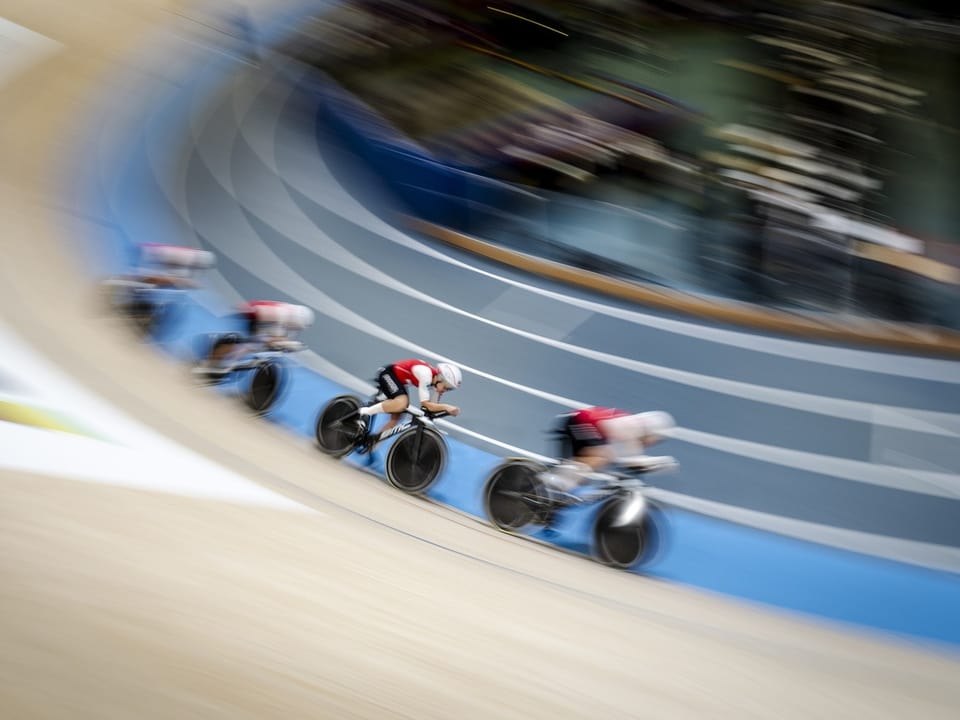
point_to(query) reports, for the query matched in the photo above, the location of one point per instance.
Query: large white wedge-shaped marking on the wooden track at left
(130, 455)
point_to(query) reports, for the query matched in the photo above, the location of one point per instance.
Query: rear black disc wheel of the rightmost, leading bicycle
(514, 496)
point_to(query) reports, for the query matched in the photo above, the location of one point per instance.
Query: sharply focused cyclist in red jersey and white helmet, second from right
(392, 381)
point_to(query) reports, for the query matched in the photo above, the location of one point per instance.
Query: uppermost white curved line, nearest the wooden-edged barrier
(335, 199)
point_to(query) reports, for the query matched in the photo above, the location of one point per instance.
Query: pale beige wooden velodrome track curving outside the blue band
(116, 603)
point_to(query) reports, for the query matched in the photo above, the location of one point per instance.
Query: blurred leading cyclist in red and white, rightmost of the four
(595, 437)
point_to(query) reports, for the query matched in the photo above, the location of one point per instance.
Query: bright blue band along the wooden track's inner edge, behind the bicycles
(701, 551)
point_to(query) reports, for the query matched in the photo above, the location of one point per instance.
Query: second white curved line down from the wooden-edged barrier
(286, 217)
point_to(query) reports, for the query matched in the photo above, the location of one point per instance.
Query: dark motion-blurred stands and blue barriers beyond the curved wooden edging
(794, 154)
